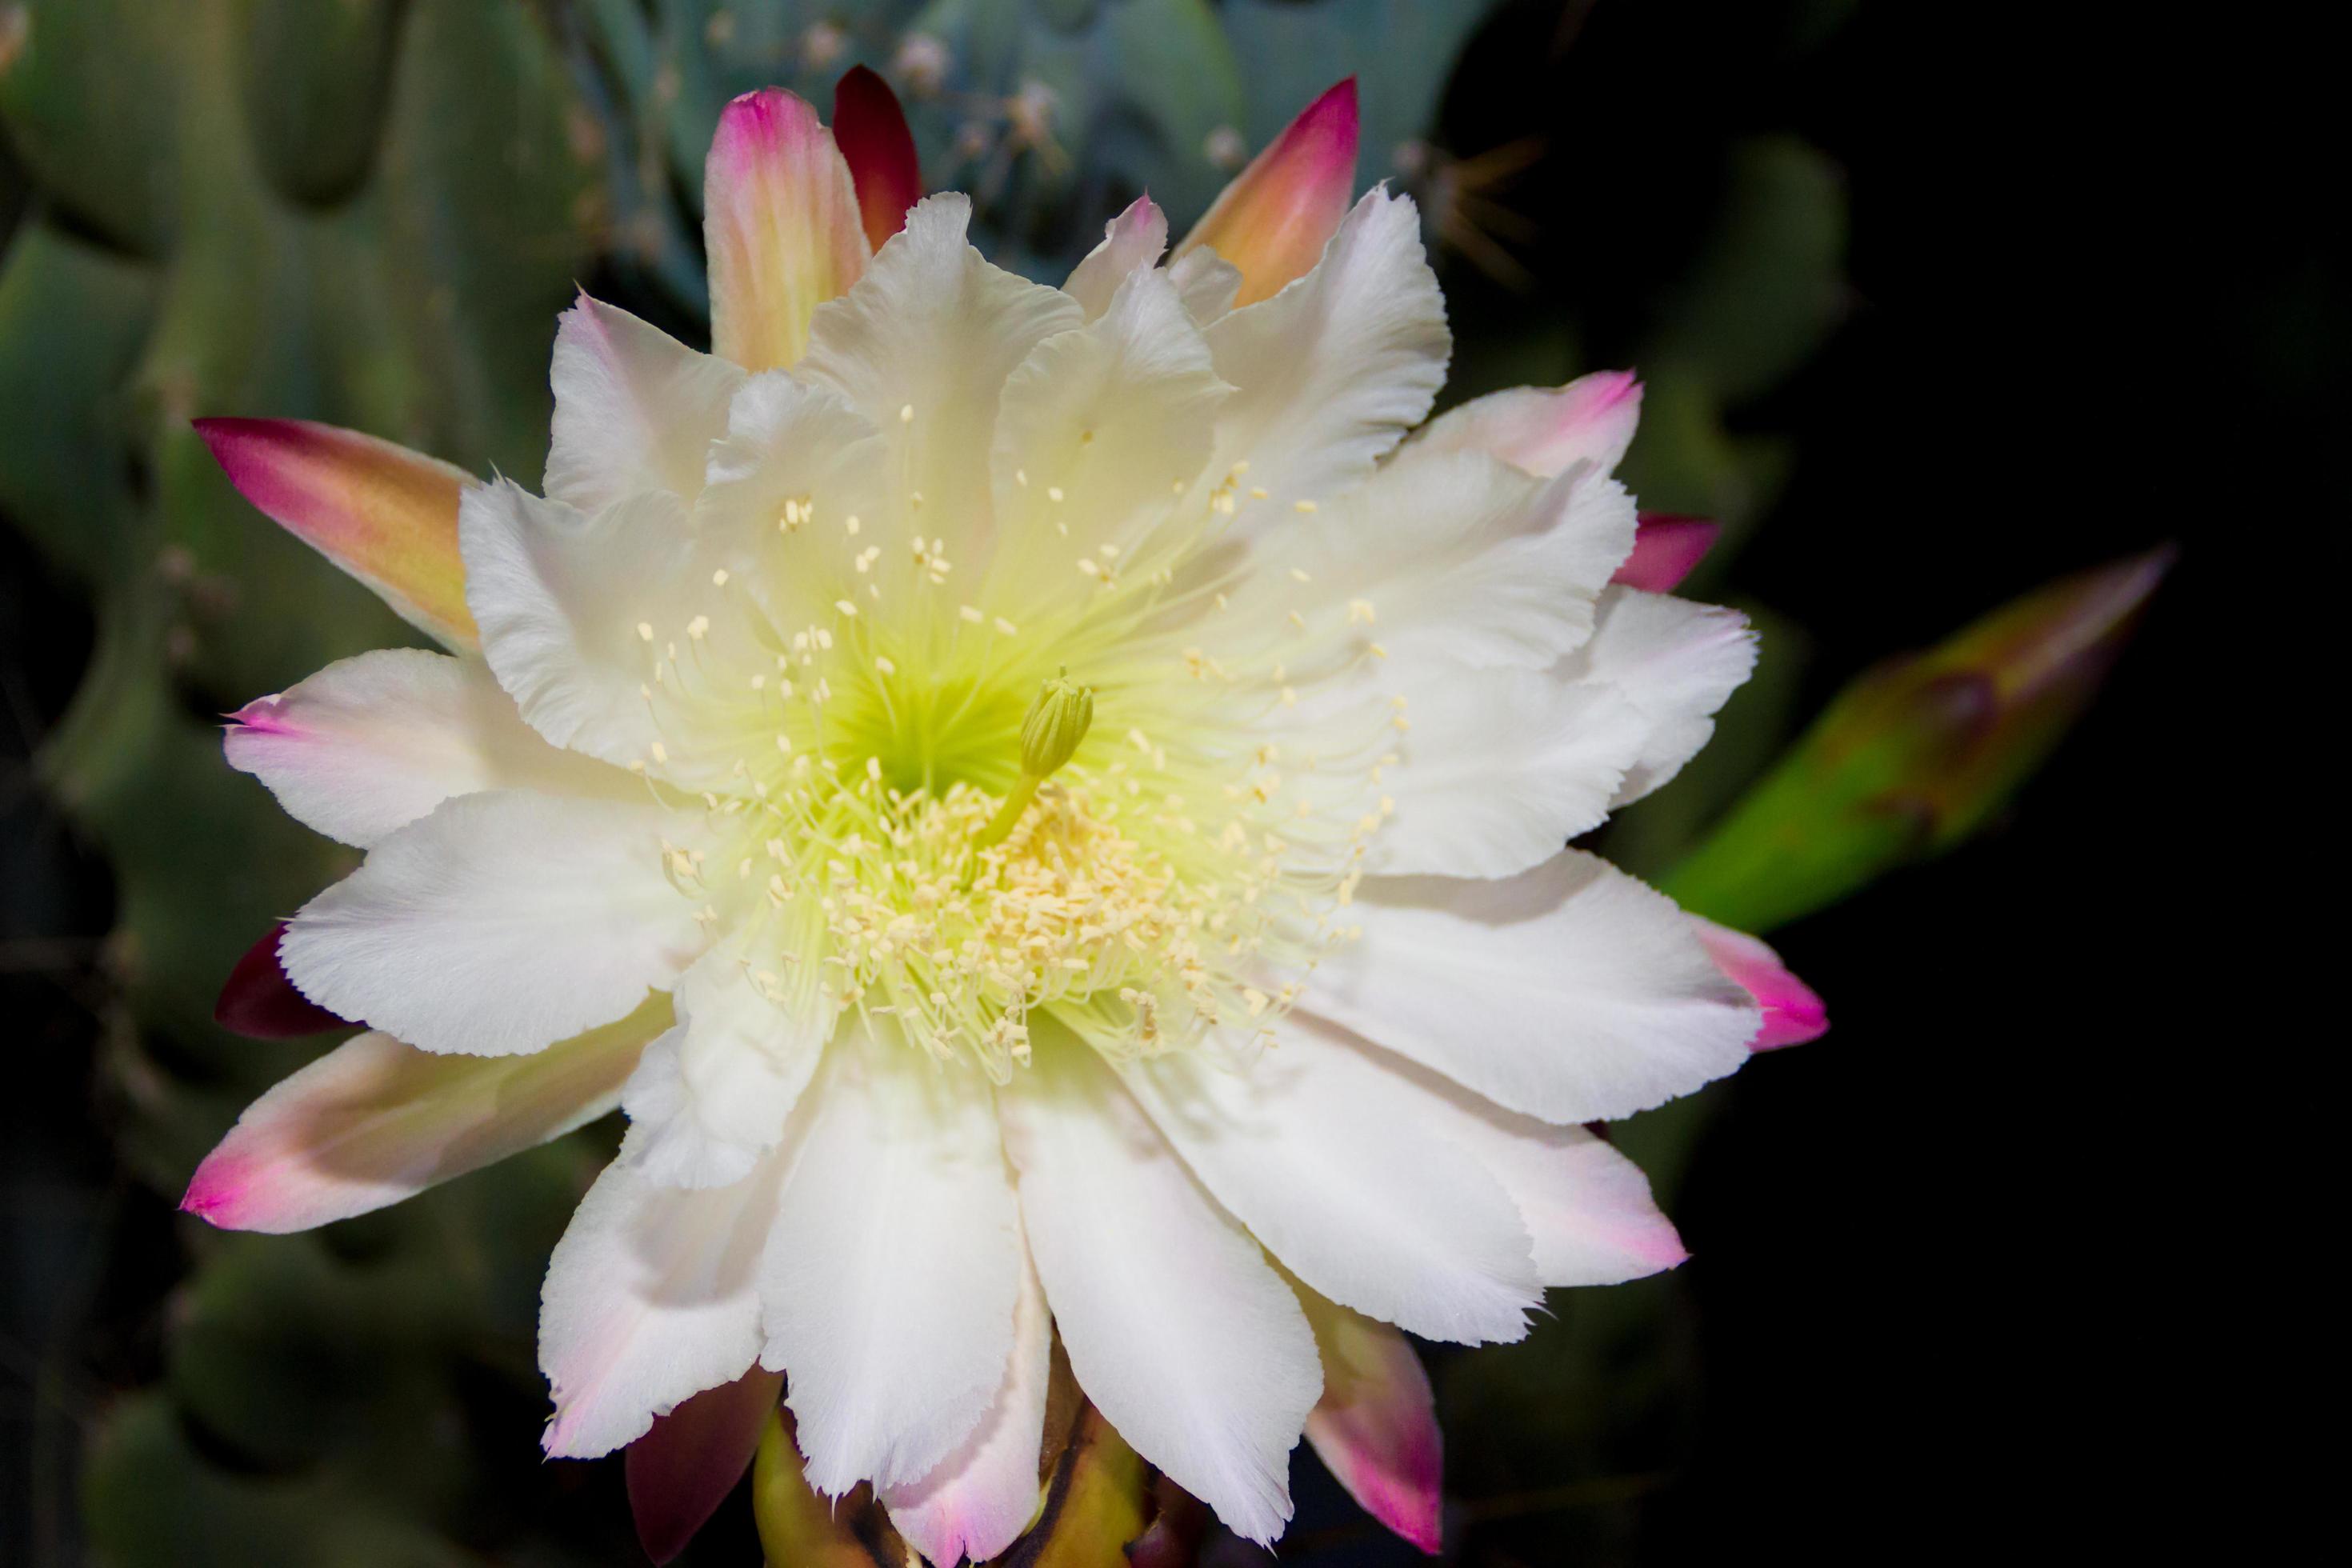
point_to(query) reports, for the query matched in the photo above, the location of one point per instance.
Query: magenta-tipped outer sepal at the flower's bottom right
(1377, 1423)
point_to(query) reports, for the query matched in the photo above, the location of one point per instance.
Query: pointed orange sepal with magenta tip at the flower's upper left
(382, 514)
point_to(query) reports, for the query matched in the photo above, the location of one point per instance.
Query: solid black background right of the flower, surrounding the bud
(2000, 1264)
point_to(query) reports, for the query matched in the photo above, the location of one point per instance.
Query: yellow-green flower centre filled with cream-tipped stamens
(871, 845)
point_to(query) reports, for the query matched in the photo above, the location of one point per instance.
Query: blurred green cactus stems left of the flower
(366, 213)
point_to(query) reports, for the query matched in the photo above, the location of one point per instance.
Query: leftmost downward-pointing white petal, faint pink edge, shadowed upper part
(653, 1296)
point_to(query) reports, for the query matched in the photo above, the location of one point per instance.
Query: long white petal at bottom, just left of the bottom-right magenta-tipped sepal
(1177, 1327)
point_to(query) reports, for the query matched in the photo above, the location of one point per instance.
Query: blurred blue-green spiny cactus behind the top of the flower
(1053, 114)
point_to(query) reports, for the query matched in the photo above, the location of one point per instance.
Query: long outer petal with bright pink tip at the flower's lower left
(375, 1123)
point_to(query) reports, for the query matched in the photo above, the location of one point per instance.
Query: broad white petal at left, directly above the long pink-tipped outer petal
(497, 925)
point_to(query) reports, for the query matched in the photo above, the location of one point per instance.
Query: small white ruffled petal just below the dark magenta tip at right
(1671, 659)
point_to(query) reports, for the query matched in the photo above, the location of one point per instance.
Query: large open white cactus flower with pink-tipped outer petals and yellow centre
(1043, 805)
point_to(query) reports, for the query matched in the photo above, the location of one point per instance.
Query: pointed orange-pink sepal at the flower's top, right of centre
(1278, 215)
